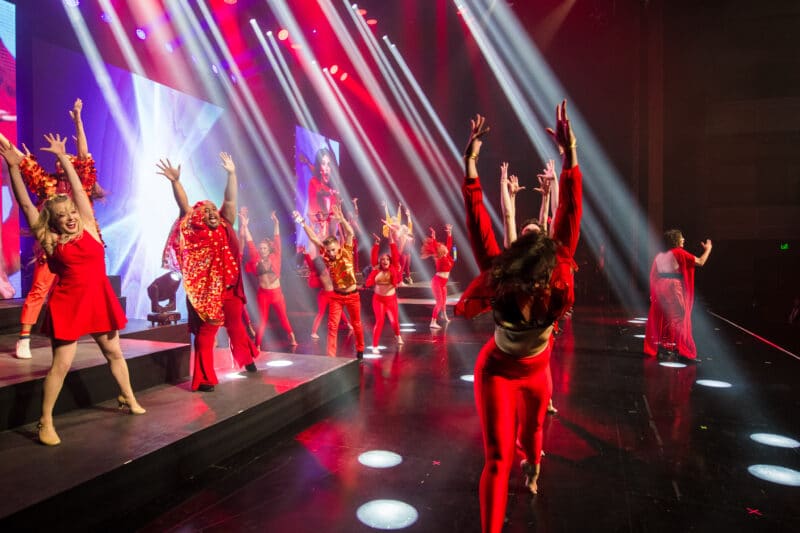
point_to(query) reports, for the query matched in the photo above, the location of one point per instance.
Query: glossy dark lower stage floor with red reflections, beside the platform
(636, 446)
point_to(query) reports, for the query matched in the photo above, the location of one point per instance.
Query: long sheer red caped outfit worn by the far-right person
(669, 322)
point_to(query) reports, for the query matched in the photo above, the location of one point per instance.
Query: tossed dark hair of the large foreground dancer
(523, 271)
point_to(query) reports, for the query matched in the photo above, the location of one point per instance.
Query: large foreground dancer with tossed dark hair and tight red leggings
(528, 287)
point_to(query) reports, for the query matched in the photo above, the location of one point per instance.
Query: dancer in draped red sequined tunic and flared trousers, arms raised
(204, 247)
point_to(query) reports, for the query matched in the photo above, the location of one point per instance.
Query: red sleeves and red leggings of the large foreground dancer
(508, 386)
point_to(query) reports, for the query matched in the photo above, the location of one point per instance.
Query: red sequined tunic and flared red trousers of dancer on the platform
(209, 261)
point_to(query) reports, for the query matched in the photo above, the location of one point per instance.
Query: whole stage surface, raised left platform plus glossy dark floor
(635, 446)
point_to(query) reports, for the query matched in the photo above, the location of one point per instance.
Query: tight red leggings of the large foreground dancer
(511, 395)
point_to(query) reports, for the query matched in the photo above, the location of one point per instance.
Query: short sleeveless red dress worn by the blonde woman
(82, 301)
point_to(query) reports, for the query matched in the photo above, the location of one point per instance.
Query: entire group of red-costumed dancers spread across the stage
(528, 285)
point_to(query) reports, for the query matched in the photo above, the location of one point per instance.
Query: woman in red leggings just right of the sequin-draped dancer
(265, 264)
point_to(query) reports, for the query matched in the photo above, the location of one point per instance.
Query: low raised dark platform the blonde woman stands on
(110, 461)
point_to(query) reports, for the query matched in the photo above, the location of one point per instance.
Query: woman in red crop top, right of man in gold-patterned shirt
(385, 277)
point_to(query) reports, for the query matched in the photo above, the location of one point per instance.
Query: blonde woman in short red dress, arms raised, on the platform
(82, 301)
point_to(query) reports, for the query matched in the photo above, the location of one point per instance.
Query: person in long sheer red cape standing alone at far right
(669, 323)
